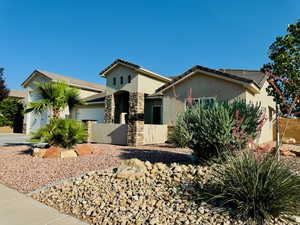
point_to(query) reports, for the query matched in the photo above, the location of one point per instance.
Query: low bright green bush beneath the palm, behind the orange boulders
(62, 132)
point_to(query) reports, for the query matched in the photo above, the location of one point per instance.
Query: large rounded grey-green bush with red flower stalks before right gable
(208, 129)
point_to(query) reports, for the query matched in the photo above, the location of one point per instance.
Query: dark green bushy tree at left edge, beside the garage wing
(12, 114)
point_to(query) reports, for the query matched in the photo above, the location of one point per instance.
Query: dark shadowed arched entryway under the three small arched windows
(121, 106)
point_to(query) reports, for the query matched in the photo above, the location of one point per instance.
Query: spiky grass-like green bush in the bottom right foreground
(260, 188)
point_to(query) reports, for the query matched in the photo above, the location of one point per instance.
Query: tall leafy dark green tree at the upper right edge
(285, 56)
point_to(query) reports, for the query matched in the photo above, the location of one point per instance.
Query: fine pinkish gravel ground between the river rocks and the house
(21, 171)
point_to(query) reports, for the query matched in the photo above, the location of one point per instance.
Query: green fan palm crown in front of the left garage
(54, 96)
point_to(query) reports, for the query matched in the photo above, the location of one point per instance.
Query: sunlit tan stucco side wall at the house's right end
(269, 106)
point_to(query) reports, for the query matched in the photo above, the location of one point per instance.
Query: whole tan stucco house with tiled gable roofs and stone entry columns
(136, 96)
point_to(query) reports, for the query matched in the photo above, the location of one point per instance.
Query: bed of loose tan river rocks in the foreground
(166, 194)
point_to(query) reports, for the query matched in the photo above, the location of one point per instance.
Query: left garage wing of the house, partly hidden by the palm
(87, 89)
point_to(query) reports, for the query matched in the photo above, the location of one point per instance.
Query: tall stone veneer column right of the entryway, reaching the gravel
(135, 136)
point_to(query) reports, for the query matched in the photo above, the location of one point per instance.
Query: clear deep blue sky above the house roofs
(80, 38)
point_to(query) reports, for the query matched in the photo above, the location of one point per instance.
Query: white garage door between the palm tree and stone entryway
(95, 113)
